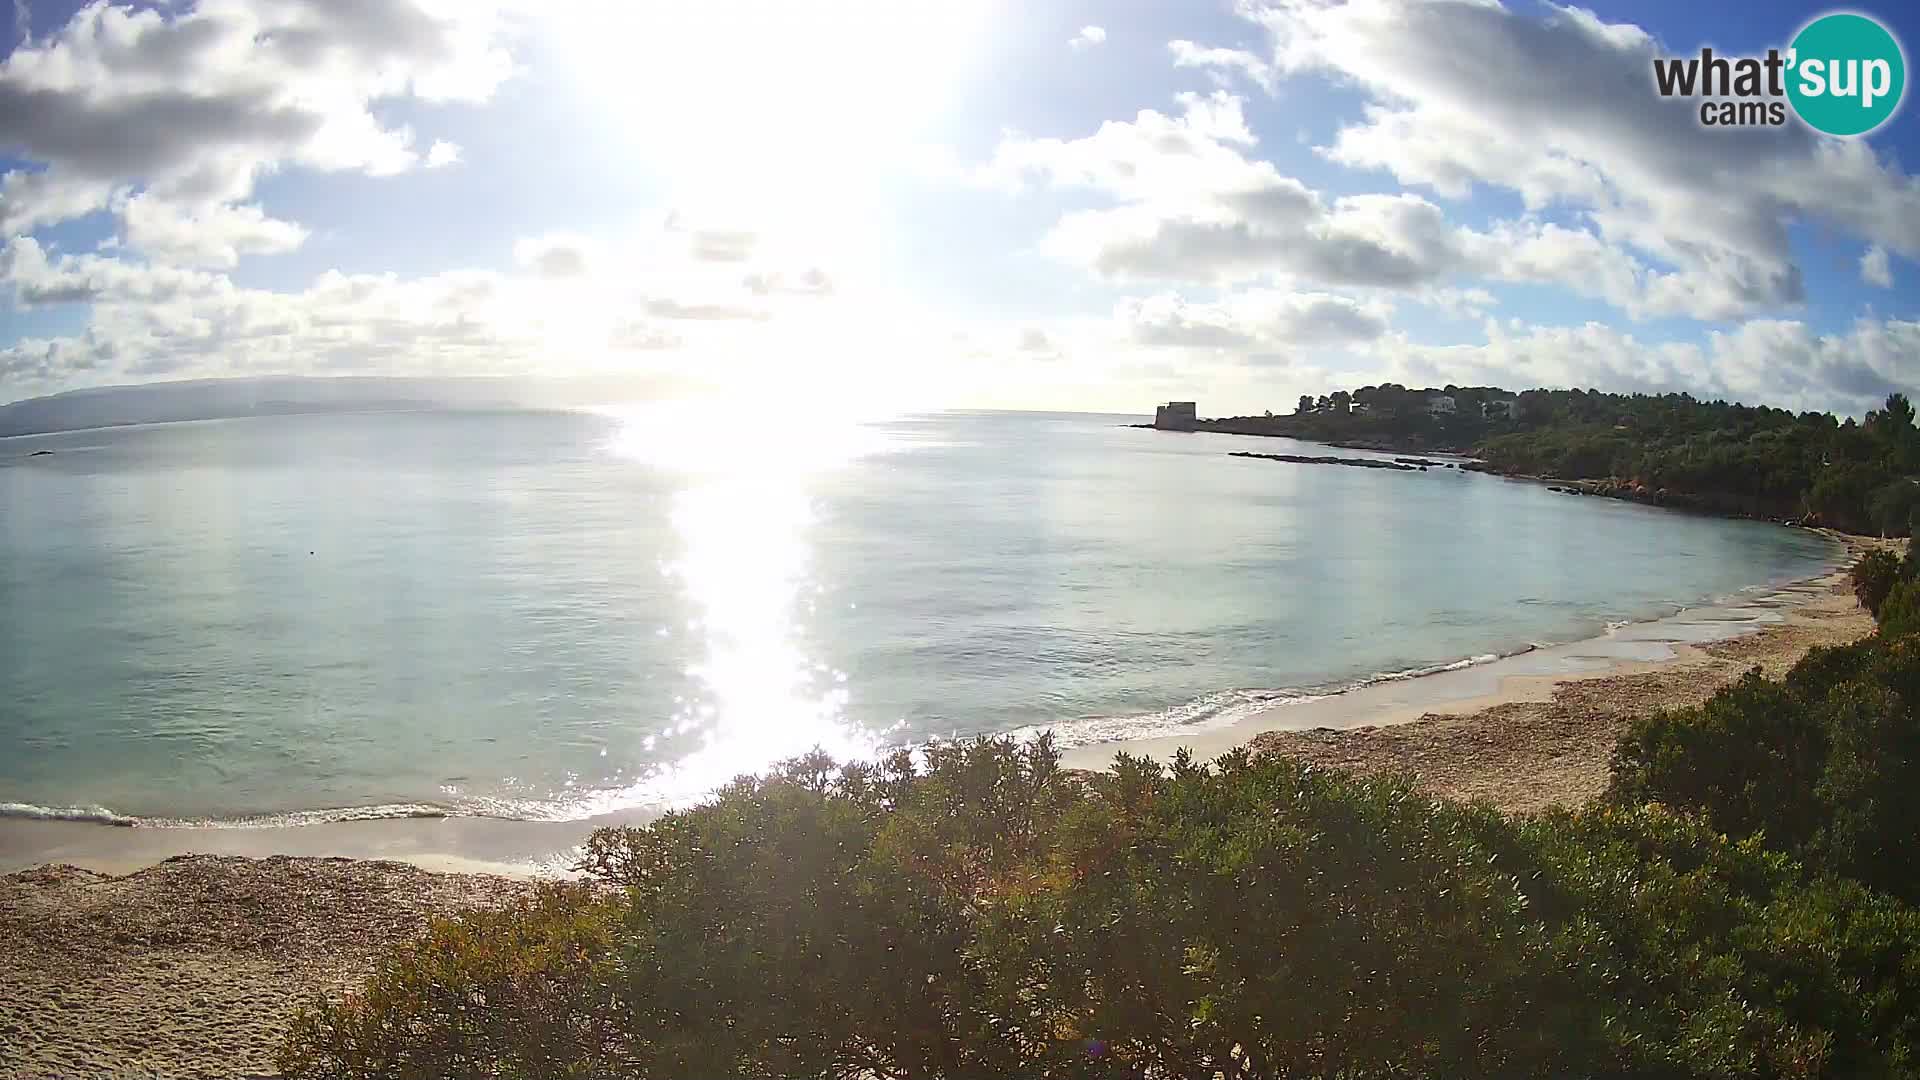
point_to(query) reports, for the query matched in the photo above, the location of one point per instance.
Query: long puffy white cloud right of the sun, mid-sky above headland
(1193, 203)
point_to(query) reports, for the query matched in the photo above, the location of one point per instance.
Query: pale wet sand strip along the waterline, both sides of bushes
(1345, 727)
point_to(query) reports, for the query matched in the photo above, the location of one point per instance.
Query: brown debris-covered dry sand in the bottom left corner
(195, 966)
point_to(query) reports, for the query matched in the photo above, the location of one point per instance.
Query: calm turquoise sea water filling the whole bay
(564, 614)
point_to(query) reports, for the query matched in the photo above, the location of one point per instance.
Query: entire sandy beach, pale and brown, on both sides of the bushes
(189, 966)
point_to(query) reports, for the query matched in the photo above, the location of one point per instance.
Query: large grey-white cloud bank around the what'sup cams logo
(1560, 110)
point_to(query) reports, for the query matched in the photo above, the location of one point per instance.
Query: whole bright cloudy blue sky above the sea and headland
(890, 205)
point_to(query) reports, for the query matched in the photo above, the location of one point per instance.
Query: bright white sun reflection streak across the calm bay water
(744, 522)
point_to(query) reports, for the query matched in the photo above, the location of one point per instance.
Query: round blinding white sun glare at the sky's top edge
(715, 93)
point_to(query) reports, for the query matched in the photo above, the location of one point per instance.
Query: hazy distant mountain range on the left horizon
(222, 399)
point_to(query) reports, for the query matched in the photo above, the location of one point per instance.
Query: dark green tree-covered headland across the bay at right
(1669, 449)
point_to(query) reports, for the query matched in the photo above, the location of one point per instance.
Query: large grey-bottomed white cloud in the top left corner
(193, 107)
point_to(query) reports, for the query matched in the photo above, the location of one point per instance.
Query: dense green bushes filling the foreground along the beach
(1740, 904)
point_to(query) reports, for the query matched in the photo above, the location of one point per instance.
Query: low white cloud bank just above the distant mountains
(571, 305)
